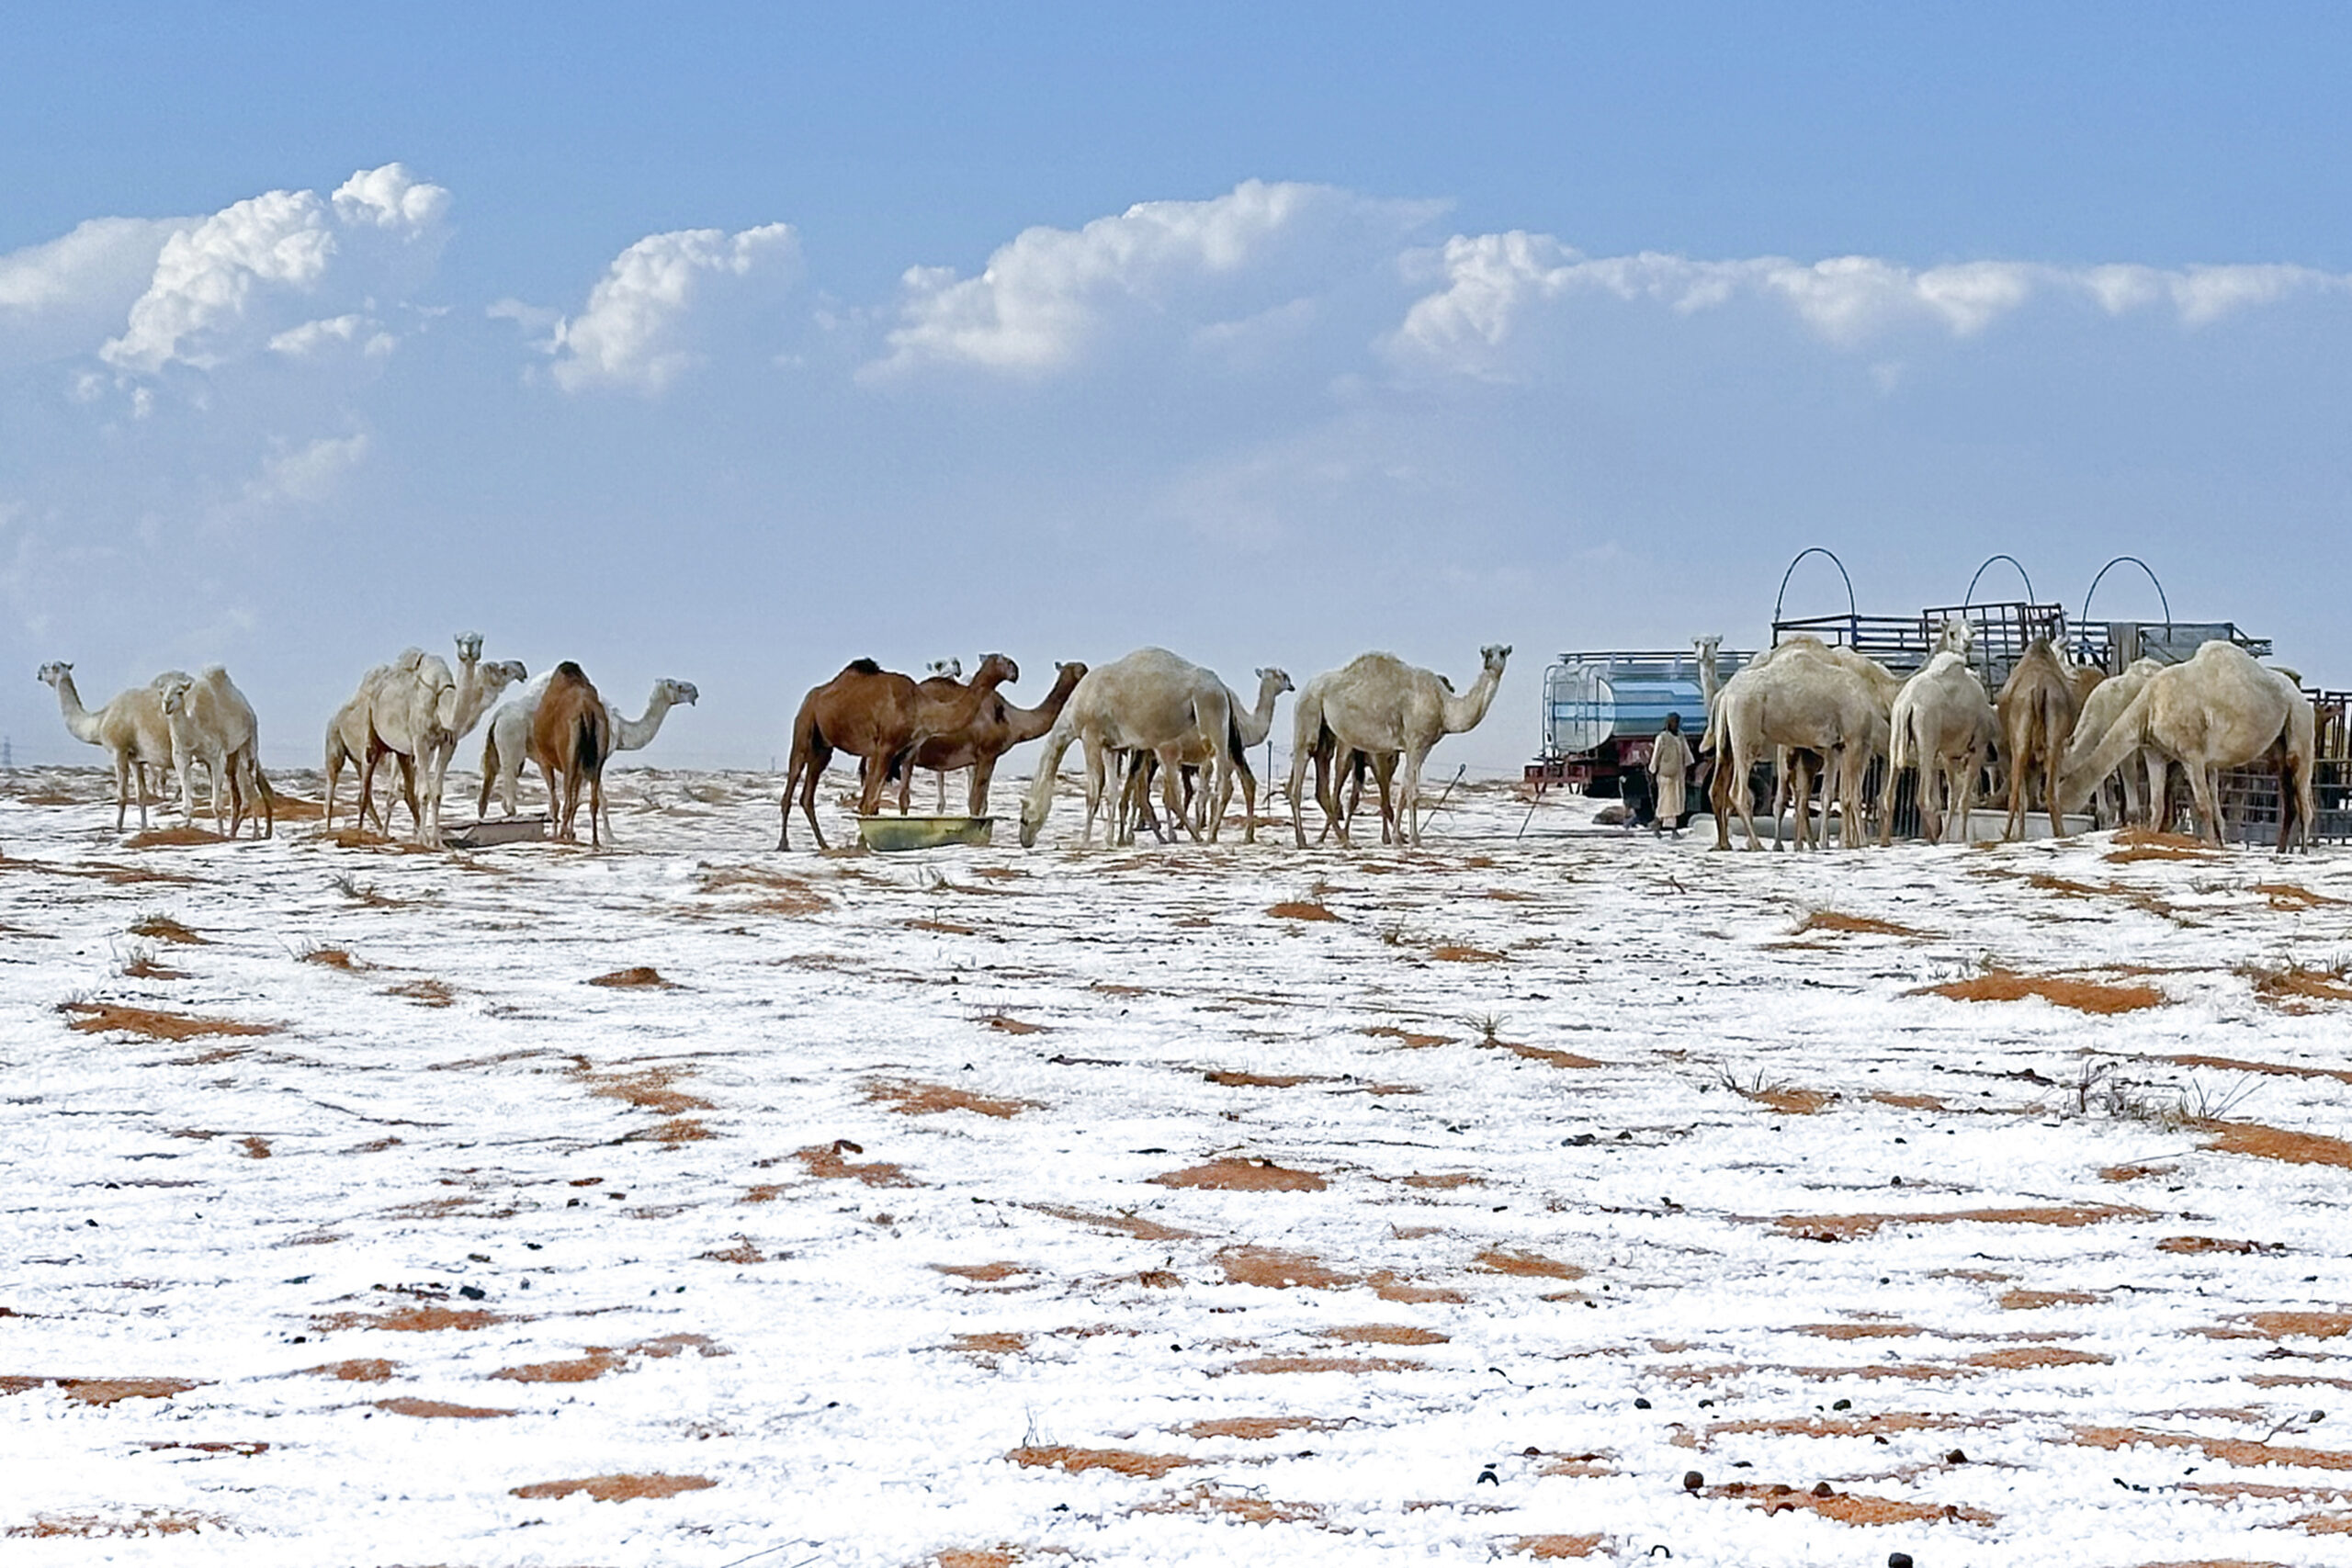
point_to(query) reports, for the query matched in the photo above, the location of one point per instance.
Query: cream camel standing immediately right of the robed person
(1800, 697)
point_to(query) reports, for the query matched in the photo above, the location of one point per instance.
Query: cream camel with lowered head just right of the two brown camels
(1149, 702)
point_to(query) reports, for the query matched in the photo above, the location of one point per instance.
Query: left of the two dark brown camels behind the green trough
(881, 718)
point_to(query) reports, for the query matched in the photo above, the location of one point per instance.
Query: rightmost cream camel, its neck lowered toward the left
(2214, 711)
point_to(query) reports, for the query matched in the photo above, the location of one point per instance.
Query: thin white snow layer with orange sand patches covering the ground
(1561, 1195)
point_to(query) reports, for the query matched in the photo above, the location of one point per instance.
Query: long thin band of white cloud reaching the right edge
(1490, 286)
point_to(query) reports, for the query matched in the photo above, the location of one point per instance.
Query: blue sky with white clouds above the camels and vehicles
(733, 344)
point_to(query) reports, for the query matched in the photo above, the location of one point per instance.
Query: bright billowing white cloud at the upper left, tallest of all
(281, 262)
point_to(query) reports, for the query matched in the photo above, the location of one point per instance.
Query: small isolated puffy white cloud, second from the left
(650, 316)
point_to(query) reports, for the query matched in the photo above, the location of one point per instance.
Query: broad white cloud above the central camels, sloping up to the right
(1053, 293)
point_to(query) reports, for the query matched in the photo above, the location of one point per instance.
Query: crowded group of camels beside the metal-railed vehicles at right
(2057, 728)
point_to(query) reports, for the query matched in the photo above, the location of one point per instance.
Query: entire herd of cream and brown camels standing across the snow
(1149, 718)
